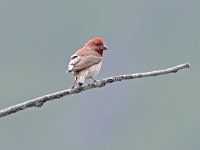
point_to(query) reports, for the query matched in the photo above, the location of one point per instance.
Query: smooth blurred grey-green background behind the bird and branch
(37, 37)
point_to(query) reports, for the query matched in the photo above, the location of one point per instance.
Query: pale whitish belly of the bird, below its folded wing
(93, 70)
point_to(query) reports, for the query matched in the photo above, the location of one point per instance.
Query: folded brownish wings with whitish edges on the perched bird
(81, 62)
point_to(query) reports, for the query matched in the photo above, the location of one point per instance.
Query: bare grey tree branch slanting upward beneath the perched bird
(38, 102)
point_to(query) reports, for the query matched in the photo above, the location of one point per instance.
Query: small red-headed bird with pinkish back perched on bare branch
(86, 62)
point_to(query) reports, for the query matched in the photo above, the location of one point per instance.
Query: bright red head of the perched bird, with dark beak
(97, 44)
